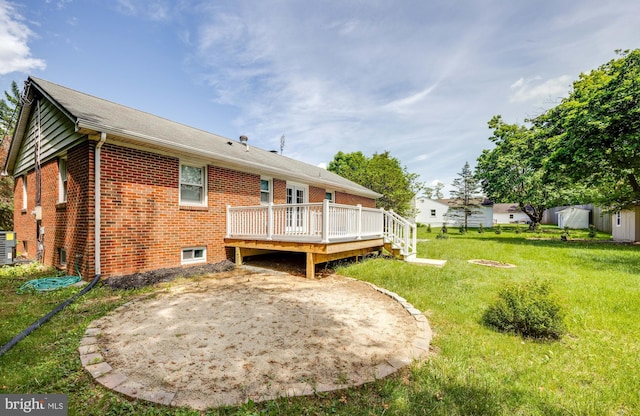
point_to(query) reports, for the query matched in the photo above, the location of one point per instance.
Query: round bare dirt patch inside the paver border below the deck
(229, 337)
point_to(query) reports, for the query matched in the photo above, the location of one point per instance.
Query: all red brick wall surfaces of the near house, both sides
(143, 226)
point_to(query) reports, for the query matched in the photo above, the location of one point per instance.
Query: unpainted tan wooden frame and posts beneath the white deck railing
(316, 253)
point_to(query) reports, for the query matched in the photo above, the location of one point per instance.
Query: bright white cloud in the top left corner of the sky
(15, 54)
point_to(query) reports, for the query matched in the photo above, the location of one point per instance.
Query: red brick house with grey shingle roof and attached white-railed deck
(122, 191)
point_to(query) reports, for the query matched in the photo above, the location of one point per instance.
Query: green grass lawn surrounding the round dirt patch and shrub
(473, 370)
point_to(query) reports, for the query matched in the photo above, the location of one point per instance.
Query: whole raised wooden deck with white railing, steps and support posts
(324, 231)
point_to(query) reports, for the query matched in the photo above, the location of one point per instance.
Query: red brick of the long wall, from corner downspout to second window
(145, 228)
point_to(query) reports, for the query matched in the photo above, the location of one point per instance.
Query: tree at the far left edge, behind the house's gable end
(8, 113)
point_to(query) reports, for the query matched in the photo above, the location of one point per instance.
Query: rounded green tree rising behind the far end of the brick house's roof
(381, 173)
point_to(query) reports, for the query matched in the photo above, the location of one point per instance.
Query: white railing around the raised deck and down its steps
(322, 222)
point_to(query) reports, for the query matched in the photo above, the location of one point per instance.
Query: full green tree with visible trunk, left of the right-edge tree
(515, 171)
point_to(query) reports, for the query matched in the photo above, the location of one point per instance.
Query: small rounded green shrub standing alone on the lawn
(526, 309)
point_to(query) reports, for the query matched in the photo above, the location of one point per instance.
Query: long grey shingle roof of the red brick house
(96, 115)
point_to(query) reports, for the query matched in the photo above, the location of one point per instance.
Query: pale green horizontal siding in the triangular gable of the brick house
(56, 131)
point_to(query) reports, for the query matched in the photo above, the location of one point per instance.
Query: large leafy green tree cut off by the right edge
(595, 132)
